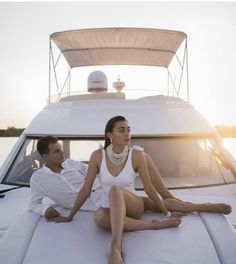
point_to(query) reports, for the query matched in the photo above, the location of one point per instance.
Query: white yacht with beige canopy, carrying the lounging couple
(186, 149)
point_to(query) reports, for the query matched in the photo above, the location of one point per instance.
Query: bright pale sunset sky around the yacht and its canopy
(25, 28)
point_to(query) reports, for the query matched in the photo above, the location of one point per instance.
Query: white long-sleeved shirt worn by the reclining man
(62, 187)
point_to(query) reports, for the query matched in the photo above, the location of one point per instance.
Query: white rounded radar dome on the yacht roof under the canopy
(97, 82)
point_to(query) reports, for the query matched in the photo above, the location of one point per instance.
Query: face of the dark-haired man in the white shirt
(55, 154)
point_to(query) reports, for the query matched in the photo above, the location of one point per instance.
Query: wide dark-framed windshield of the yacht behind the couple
(182, 162)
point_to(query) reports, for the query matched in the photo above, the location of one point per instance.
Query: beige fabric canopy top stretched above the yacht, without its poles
(118, 46)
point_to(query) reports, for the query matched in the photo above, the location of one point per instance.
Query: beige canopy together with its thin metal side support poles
(69, 42)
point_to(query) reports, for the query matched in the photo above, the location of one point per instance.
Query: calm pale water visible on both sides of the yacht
(6, 144)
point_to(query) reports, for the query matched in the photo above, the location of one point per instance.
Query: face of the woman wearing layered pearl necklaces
(120, 134)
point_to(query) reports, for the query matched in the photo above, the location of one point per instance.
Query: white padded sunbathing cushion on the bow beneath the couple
(201, 238)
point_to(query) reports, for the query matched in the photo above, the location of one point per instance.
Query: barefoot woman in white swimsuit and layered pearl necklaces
(121, 209)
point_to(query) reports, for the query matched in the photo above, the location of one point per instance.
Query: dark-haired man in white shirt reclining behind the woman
(60, 180)
